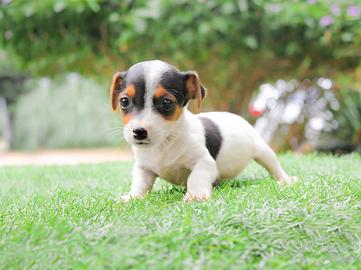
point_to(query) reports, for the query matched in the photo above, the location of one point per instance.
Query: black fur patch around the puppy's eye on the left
(135, 75)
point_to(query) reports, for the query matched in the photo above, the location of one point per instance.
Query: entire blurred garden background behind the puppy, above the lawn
(292, 68)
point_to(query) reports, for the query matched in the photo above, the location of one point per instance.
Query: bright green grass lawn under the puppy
(65, 217)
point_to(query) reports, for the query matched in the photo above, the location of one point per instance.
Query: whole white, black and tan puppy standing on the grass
(171, 142)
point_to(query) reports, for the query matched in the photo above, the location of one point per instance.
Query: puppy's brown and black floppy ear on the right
(195, 90)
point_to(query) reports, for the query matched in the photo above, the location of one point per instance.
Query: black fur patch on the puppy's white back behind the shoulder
(213, 136)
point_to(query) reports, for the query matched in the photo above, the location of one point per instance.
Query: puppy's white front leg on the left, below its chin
(142, 182)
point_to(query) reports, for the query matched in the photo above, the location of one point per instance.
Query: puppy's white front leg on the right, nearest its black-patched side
(199, 183)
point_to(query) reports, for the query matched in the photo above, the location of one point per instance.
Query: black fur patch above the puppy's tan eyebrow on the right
(174, 82)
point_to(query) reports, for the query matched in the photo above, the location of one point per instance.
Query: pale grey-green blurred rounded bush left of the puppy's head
(67, 112)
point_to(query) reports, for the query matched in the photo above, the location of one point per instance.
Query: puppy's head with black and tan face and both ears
(151, 96)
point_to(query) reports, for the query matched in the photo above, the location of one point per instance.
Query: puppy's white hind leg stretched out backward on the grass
(265, 156)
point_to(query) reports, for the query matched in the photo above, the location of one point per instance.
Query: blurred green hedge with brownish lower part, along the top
(233, 44)
